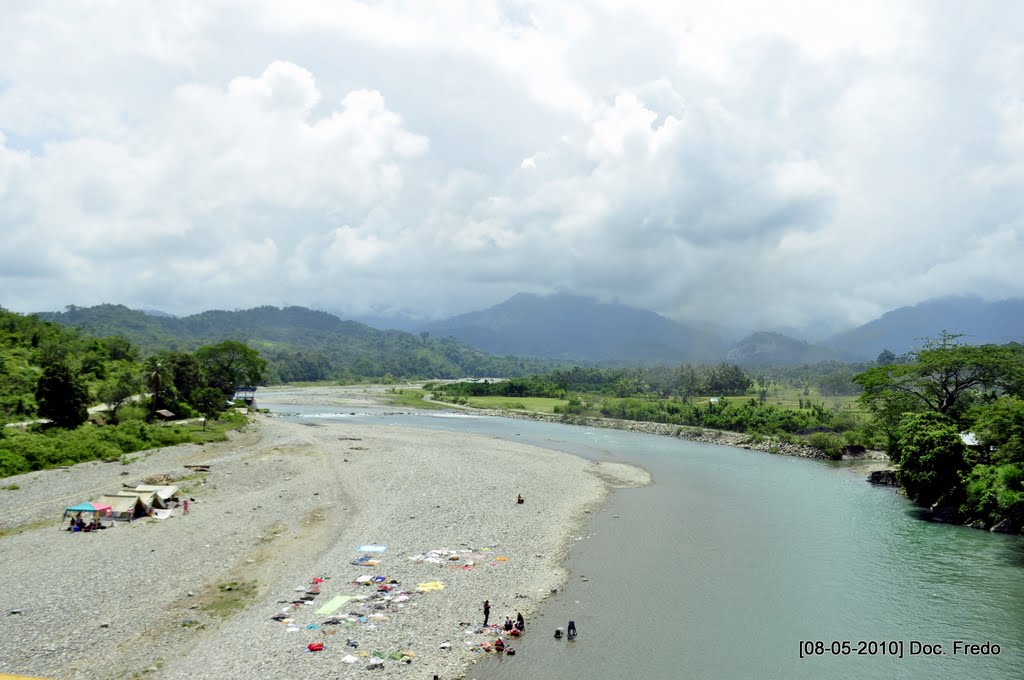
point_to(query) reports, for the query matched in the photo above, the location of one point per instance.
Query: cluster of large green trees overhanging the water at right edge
(953, 418)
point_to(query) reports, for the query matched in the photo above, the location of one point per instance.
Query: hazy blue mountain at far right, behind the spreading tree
(903, 330)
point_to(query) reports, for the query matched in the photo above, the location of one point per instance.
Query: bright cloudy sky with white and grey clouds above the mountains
(764, 164)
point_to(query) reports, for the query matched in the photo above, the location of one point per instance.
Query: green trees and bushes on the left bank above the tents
(67, 398)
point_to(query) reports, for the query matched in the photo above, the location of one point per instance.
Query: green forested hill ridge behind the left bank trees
(301, 345)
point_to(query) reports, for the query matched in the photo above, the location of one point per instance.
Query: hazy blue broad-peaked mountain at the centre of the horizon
(577, 328)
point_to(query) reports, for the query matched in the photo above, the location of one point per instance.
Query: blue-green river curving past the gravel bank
(735, 565)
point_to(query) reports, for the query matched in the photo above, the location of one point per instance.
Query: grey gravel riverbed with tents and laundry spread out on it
(195, 597)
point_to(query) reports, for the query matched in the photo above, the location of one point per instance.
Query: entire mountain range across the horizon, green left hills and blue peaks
(531, 332)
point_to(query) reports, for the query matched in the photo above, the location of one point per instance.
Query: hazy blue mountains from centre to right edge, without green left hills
(572, 327)
